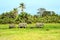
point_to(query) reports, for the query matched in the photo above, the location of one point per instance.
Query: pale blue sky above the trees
(31, 5)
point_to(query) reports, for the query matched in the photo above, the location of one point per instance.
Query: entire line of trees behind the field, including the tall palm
(42, 15)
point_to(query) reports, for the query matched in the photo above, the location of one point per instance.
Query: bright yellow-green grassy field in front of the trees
(51, 31)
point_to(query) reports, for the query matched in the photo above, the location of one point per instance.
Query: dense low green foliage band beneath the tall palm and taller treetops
(9, 17)
